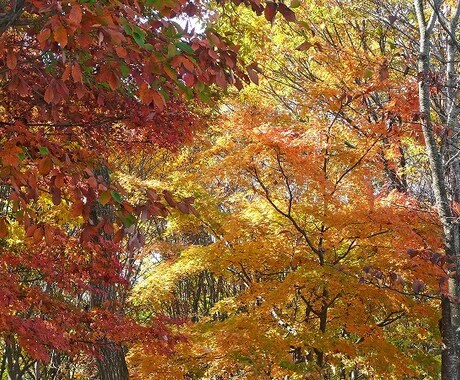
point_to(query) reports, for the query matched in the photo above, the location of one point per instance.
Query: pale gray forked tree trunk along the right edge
(437, 154)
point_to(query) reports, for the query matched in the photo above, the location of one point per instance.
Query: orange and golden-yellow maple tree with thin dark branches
(327, 276)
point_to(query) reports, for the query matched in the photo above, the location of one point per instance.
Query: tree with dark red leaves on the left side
(80, 81)
